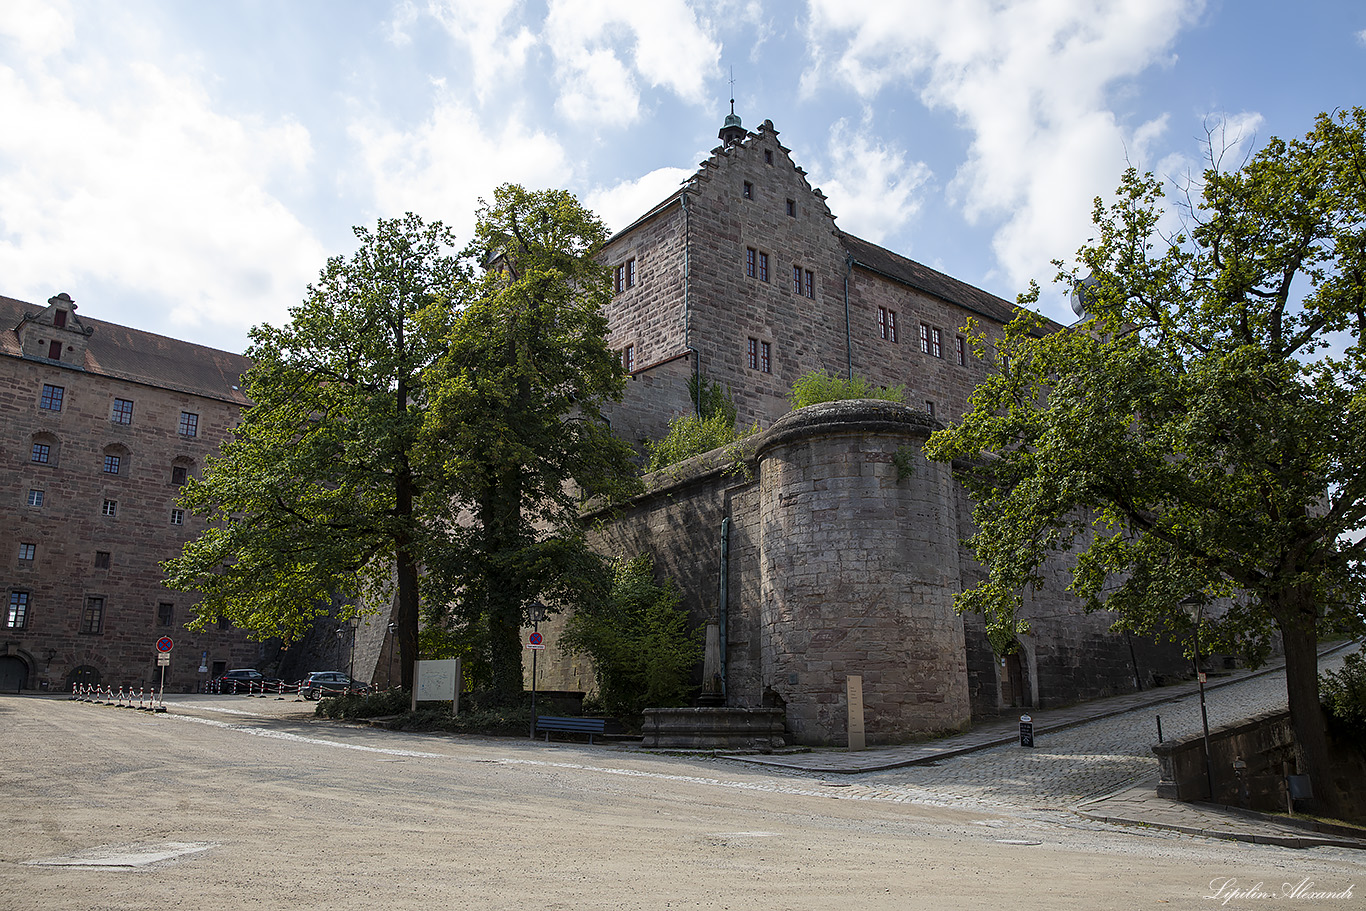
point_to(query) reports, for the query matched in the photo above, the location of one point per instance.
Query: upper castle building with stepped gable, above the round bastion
(742, 278)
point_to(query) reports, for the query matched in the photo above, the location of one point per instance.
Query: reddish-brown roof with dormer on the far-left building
(137, 357)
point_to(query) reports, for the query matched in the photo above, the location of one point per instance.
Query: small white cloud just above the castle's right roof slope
(875, 189)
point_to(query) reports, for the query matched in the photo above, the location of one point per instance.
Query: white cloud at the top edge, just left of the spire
(603, 48)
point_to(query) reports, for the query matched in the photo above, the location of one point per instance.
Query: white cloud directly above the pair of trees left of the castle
(442, 167)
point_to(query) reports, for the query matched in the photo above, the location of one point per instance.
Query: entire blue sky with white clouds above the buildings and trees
(188, 167)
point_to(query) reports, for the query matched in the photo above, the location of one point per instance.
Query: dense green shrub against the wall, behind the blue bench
(639, 640)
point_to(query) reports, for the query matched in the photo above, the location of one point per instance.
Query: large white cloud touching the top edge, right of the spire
(1029, 81)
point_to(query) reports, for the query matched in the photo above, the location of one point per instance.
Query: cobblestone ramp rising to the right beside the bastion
(1072, 766)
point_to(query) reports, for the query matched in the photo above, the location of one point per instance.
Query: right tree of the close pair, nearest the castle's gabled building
(516, 423)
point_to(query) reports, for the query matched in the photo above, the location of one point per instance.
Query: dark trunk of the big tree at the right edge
(1298, 619)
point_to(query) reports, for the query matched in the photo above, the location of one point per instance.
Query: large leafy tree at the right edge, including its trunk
(1203, 436)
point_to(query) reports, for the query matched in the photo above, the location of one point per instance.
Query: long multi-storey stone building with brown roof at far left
(100, 425)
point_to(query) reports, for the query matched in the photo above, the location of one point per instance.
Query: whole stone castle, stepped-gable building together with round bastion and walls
(831, 548)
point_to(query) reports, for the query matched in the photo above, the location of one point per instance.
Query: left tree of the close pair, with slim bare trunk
(319, 491)
